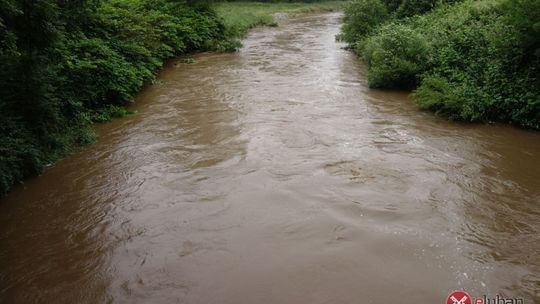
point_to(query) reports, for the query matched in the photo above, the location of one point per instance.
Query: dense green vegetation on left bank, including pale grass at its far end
(66, 64)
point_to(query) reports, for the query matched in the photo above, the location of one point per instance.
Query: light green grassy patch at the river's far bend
(240, 17)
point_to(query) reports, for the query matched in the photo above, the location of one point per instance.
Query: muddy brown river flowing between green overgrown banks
(274, 175)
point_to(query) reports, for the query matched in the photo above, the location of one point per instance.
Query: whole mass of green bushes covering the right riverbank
(474, 60)
